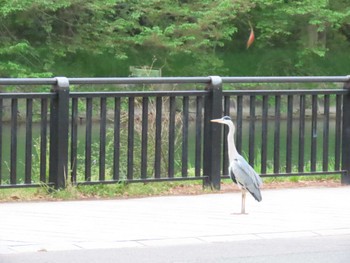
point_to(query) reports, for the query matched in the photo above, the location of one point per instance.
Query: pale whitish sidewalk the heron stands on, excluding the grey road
(173, 220)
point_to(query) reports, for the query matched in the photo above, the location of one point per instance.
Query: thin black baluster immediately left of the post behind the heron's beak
(198, 151)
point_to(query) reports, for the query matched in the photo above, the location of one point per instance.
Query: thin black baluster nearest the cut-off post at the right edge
(338, 118)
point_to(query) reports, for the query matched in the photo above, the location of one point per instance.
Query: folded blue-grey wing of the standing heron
(247, 177)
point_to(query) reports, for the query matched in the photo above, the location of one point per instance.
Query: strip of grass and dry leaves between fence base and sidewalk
(122, 190)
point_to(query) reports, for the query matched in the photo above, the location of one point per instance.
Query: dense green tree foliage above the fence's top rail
(199, 37)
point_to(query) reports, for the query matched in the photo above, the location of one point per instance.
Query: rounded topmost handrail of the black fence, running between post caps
(174, 80)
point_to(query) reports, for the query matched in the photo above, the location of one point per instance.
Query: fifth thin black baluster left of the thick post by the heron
(144, 155)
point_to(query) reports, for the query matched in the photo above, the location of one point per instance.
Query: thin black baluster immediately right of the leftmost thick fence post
(74, 140)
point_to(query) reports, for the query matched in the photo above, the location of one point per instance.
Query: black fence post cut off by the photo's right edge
(345, 179)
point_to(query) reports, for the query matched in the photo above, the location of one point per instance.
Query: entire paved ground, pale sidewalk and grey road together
(288, 224)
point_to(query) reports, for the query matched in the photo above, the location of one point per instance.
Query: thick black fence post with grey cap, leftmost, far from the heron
(59, 126)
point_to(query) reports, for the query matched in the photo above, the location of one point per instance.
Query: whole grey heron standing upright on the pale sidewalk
(239, 169)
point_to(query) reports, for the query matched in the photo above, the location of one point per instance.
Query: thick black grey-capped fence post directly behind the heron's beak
(212, 134)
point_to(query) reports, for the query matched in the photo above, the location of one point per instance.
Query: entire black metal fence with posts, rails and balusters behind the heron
(89, 137)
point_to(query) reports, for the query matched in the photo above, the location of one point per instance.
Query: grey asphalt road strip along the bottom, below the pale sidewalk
(310, 249)
